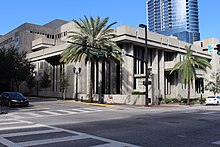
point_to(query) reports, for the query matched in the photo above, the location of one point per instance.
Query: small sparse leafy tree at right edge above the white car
(214, 84)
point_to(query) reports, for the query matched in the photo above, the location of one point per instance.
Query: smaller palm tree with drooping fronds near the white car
(187, 68)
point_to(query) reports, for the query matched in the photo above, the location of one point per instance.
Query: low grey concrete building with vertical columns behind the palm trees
(44, 45)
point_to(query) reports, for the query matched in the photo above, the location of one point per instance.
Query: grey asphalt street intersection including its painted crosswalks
(67, 123)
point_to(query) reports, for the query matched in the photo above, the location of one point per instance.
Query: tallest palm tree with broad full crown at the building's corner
(92, 35)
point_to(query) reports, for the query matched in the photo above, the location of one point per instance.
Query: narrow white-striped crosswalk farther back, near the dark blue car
(47, 113)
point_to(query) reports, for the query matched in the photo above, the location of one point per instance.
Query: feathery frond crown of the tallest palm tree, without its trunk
(97, 34)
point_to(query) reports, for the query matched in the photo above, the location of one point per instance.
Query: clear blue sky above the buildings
(131, 12)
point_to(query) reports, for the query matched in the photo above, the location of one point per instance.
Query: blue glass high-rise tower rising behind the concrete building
(174, 17)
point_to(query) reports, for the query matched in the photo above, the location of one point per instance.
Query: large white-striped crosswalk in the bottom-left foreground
(19, 133)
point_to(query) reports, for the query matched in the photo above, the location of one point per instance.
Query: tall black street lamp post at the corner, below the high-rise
(146, 64)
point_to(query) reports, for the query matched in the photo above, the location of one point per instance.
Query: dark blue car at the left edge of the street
(13, 99)
